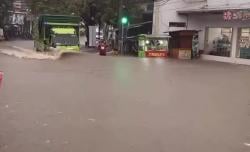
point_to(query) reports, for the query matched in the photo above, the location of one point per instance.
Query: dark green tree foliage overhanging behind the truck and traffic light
(105, 11)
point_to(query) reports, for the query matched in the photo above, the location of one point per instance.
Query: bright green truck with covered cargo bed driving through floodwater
(57, 32)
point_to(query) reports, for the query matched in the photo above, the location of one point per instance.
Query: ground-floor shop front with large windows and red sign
(224, 34)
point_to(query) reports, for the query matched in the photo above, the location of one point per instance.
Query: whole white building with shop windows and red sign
(223, 25)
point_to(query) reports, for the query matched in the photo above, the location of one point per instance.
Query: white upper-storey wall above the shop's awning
(166, 12)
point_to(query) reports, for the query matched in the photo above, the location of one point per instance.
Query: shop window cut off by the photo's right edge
(244, 43)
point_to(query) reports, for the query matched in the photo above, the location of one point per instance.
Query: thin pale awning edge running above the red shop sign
(213, 10)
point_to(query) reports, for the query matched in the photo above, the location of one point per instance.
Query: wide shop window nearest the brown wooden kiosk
(219, 41)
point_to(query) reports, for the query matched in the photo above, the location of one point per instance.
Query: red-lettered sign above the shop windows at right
(236, 15)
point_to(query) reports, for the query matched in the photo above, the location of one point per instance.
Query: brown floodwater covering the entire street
(91, 103)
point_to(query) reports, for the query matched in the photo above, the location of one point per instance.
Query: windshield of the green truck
(65, 39)
